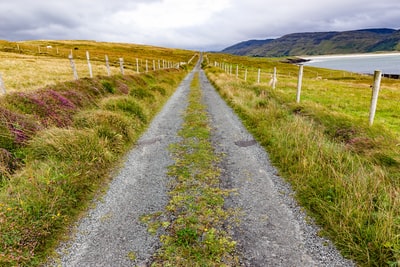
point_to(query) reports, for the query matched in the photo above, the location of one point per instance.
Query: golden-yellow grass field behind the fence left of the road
(30, 64)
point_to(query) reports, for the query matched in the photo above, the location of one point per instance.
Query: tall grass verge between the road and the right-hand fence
(345, 173)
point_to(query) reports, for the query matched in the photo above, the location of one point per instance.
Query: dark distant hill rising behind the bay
(320, 43)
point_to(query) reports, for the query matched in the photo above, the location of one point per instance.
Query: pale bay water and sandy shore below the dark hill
(360, 63)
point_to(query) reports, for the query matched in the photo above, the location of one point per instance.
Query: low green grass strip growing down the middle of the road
(196, 235)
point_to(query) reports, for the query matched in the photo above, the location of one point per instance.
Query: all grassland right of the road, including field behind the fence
(346, 174)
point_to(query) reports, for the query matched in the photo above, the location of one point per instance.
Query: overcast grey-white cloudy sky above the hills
(190, 24)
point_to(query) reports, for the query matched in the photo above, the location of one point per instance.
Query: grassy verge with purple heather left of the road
(58, 148)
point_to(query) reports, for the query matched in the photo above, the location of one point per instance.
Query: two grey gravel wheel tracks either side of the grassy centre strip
(272, 230)
